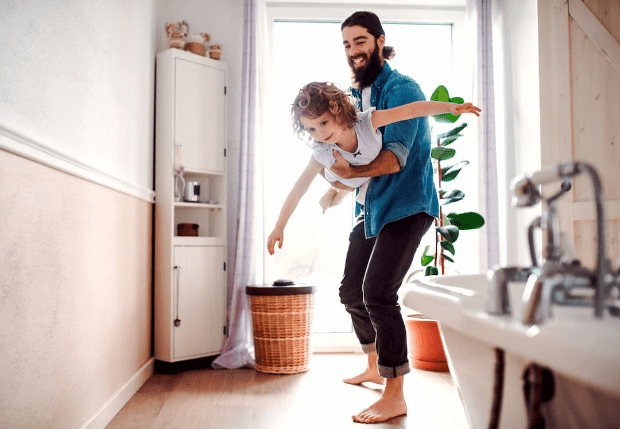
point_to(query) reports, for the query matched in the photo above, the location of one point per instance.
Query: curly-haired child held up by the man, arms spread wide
(326, 116)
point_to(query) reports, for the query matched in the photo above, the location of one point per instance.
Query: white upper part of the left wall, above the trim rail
(76, 80)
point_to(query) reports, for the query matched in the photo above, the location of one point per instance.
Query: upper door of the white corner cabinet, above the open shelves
(200, 109)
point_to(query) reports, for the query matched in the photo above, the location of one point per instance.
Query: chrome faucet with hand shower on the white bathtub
(560, 280)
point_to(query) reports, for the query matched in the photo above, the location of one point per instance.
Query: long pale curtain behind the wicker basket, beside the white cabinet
(238, 348)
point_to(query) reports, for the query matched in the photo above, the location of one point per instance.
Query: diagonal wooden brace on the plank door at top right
(596, 32)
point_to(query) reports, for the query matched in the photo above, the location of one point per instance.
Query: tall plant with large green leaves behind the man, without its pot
(447, 226)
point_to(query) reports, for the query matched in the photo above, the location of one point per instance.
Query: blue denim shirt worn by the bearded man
(412, 189)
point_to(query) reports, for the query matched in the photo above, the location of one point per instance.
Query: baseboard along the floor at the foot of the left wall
(101, 419)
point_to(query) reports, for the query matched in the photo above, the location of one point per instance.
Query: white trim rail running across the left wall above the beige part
(25, 147)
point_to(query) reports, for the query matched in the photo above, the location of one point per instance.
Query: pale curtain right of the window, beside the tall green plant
(479, 23)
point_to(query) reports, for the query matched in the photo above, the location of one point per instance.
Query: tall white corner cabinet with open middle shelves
(190, 278)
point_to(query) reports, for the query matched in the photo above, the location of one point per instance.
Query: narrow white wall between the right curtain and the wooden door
(517, 103)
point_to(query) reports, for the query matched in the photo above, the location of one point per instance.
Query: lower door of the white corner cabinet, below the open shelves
(199, 301)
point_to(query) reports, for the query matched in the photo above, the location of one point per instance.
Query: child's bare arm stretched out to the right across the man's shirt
(417, 109)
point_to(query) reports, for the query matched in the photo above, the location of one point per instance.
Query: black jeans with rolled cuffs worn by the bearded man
(374, 271)
